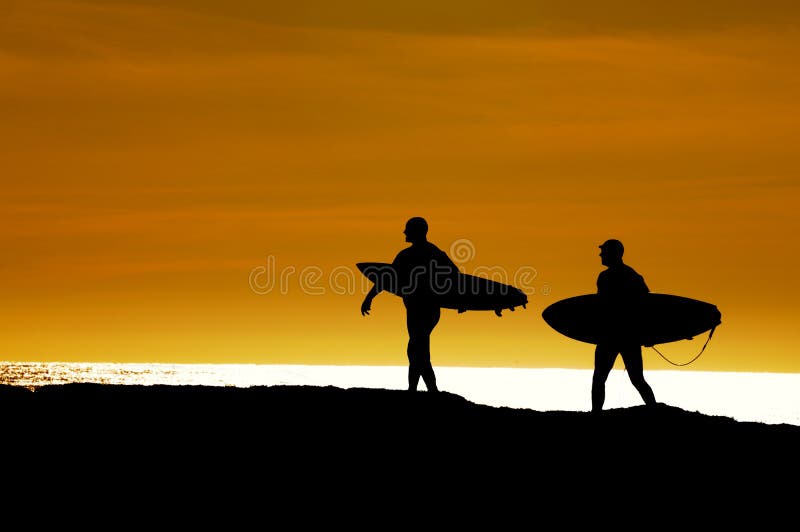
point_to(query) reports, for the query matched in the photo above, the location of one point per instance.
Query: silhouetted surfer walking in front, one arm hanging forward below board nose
(422, 271)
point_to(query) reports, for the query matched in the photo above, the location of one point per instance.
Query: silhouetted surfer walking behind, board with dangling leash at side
(621, 289)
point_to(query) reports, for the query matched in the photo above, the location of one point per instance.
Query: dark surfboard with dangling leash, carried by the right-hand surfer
(661, 318)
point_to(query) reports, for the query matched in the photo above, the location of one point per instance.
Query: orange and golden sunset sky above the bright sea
(194, 181)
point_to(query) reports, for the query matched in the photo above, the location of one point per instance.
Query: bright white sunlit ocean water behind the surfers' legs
(772, 398)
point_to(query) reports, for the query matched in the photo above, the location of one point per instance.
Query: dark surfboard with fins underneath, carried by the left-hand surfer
(461, 292)
